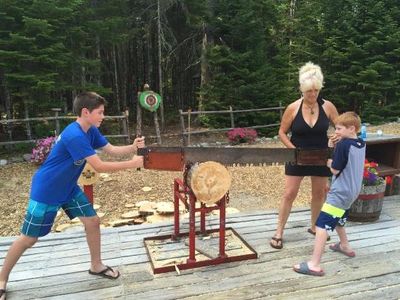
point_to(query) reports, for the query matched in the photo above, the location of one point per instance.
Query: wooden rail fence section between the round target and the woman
(186, 131)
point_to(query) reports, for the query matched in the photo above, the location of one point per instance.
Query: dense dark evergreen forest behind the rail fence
(199, 54)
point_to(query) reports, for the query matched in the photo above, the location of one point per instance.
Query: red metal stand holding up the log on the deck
(183, 193)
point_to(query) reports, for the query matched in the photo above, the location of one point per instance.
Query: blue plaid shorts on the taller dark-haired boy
(39, 217)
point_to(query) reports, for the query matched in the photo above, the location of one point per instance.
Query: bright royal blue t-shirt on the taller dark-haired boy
(55, 182)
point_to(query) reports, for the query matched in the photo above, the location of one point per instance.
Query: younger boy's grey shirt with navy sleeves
(348, 159)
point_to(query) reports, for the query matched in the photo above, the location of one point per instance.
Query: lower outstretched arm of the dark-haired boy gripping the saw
(111, 166)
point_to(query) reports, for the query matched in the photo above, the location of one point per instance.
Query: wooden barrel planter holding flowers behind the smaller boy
(368, 206)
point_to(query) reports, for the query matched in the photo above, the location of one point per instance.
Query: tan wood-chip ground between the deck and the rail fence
(253, 188)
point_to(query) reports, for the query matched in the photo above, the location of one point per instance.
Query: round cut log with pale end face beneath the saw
(209, 181)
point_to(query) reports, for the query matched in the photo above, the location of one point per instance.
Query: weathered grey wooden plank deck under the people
(56, 268)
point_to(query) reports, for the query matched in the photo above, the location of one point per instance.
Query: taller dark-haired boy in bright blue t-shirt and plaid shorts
(54, 185)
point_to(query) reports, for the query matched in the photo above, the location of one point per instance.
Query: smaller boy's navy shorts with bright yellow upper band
(329, 218)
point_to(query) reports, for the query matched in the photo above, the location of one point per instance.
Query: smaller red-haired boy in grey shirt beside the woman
(347, 168)
